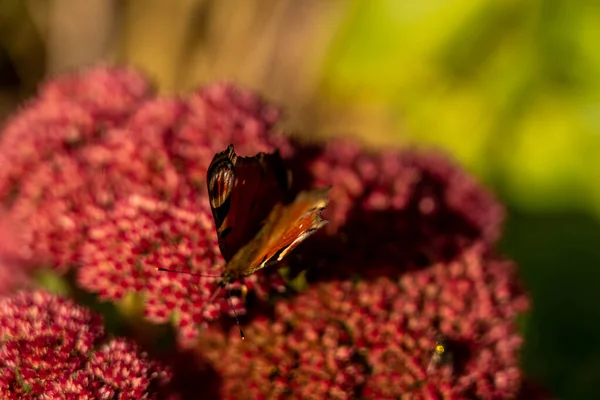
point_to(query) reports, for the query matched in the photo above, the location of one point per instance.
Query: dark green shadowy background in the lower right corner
(559, 260)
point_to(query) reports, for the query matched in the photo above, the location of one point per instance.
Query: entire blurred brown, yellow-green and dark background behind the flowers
(509, 88)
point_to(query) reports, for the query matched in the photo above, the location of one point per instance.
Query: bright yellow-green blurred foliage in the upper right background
(511, 88)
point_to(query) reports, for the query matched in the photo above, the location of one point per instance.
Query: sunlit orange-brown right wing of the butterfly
(285, 228)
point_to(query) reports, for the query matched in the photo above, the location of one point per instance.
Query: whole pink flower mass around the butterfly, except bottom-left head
(101, 179)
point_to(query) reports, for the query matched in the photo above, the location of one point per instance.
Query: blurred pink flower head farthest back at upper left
(70, 111)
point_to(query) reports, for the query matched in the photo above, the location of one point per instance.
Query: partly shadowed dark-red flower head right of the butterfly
(394, 209)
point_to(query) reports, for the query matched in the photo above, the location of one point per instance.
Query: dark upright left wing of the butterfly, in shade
(242, 192)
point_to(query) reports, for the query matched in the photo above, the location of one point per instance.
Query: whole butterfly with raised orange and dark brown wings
(257, 224)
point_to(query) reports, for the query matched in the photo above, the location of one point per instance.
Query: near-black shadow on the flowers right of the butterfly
(427, 229)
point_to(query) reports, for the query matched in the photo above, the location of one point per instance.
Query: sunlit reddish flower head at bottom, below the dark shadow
(375, 338)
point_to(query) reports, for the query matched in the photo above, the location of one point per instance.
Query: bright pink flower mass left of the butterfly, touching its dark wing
(89, 168)
